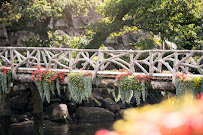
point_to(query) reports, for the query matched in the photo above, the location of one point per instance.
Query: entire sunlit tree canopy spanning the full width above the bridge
(179, 21)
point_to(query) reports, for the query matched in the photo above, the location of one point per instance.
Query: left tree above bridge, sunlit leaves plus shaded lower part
(38, 13)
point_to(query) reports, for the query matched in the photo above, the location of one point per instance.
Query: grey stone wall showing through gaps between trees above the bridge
(71, 25)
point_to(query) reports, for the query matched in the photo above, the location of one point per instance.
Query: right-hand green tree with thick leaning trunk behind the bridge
(176, 20)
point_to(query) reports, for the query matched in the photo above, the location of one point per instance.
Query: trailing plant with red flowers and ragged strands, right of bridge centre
(129, 86)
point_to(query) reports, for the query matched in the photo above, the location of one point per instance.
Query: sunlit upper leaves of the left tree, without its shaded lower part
(39, 10)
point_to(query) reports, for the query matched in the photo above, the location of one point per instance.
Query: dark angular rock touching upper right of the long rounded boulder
(109, 104)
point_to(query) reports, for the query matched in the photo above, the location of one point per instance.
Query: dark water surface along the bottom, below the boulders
(73, 129)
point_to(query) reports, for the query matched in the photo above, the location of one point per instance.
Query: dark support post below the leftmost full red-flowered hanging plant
(37, 112)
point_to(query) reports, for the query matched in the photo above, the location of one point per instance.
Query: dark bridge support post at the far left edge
(5, 114)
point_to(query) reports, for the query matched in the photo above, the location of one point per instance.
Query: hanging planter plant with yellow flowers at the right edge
(186, 84)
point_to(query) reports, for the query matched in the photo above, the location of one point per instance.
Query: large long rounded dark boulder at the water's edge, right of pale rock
(93, 114)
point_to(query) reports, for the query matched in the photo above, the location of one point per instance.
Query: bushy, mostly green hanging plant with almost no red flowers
(80, 86)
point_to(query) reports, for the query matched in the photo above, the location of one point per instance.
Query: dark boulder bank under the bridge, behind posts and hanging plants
(101, 106)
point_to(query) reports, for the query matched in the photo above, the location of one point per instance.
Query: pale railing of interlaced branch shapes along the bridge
(68, 60)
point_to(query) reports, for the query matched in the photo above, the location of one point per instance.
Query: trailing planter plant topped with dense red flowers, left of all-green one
(46, 81)
